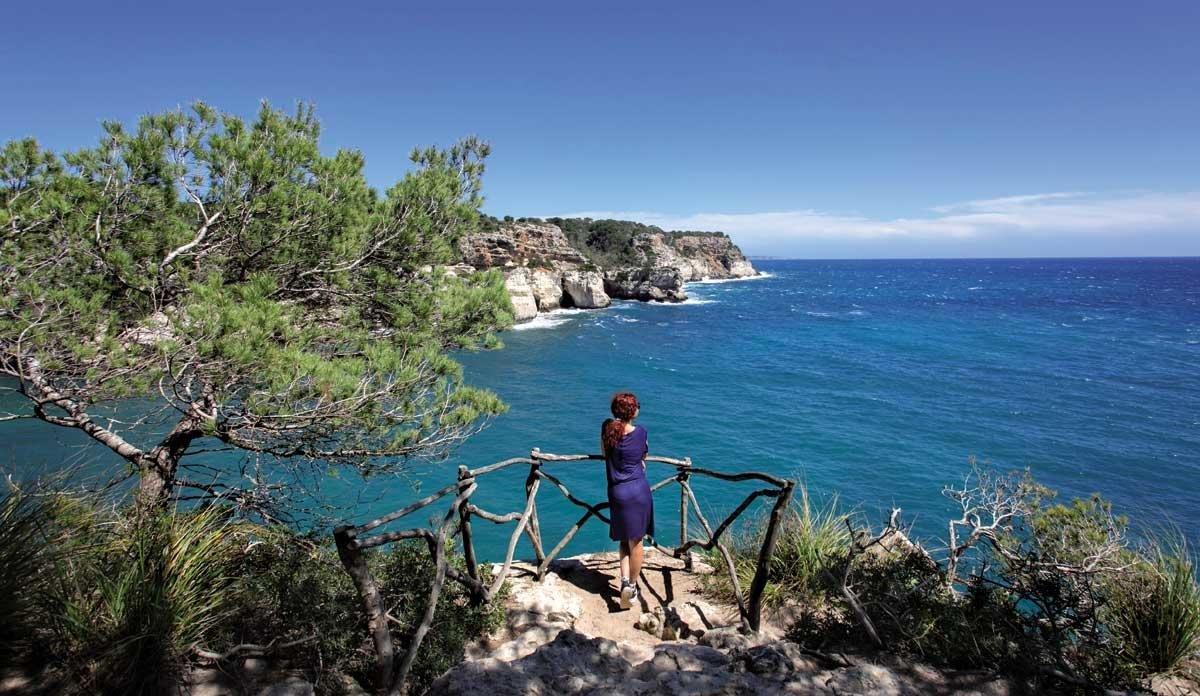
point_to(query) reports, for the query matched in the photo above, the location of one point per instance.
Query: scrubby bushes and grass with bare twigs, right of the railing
(1055, 595)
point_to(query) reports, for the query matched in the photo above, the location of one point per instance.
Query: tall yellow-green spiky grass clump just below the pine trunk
(134, 595)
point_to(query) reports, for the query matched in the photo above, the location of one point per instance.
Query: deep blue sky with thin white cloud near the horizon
(855, 130)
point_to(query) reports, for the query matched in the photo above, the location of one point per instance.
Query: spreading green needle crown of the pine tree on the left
(280, 303)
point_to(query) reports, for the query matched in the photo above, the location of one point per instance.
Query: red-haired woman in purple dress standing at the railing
(632, 509)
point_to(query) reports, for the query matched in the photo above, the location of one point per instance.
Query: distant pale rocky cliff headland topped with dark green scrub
(585, 263)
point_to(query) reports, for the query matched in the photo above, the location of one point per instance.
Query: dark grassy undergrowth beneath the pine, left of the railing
(119, 601)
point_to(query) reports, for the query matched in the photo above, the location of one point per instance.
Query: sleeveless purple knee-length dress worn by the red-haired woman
(632, 508)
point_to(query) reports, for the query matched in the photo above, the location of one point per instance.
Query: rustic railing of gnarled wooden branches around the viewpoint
(355, 541)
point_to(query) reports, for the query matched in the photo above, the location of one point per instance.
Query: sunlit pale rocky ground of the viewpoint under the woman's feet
(569, 635)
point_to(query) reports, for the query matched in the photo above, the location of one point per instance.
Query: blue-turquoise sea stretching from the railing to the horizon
(875, 381)
